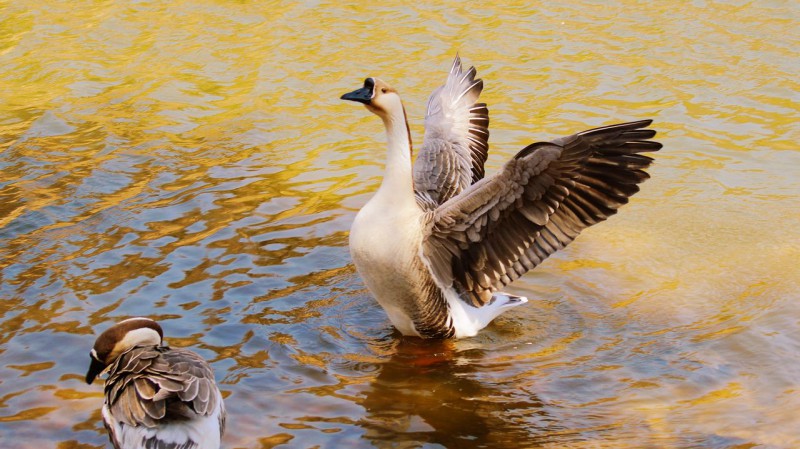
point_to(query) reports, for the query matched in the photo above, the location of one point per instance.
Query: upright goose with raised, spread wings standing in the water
(439, 240)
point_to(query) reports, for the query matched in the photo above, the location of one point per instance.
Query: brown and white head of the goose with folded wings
(119, 338)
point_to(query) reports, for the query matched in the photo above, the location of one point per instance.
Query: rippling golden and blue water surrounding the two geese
(191, 161)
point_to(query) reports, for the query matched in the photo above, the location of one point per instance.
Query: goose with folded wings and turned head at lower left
(155, 396)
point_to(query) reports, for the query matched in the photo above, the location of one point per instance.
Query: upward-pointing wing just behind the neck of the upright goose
(455, 145)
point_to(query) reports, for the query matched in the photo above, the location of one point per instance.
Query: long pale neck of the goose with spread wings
(398, 183)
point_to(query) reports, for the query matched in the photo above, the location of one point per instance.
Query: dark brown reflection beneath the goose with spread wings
(428, 391)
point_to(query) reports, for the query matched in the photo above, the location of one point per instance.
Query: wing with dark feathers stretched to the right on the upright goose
(503, 226)
